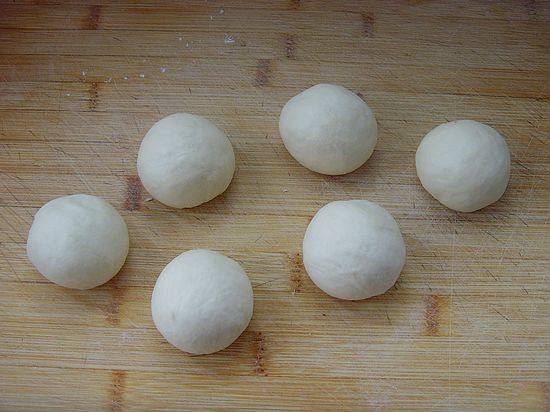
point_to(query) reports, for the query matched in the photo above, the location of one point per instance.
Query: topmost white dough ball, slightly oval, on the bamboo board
(328, 129)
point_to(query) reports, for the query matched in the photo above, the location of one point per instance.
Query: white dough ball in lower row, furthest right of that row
(353, 249)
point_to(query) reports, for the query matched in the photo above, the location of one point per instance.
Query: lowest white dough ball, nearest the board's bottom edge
(202, 301)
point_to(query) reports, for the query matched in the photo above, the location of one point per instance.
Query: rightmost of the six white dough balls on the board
(464, 164)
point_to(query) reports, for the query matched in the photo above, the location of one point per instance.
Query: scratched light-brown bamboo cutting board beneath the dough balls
(465, 328)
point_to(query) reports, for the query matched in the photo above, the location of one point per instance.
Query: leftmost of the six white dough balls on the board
(78, 241)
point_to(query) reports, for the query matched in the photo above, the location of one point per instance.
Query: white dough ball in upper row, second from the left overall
(185, 160)
